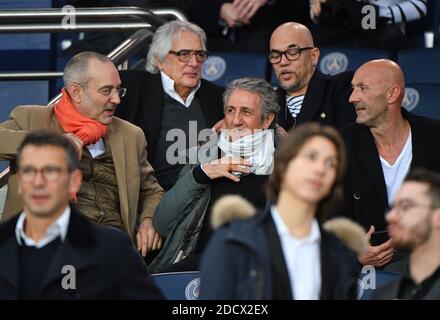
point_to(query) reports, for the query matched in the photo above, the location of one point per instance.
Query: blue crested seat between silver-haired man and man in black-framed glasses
(223, 67)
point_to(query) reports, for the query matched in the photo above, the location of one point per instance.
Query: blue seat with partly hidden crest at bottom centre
(178, 285)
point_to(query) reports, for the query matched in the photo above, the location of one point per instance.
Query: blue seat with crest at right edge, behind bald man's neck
(423, 99)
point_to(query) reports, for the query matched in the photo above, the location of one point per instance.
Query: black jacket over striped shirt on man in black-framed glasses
(326, 101)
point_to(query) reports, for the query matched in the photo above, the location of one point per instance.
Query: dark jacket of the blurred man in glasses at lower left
(105, 261)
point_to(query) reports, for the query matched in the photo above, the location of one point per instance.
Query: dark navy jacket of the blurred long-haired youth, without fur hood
(243, 261)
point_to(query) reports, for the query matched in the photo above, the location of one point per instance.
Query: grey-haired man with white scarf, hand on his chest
(239, 162)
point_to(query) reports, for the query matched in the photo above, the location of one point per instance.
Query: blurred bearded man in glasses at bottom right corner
(414, 226)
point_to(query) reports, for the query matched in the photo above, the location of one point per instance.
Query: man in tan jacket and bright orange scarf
(119, 188)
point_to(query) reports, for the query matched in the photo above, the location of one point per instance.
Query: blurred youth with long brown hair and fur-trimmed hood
(283, 252)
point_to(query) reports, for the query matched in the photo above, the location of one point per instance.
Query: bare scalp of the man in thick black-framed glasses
(295, 31)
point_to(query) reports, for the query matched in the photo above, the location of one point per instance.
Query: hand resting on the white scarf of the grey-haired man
(224, 166)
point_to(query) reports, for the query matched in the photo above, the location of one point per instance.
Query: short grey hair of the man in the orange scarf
(76, 69)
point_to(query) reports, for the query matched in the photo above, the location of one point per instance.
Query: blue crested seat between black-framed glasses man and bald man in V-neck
(336, 60)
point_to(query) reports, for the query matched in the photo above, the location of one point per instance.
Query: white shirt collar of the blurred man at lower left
(55, 230)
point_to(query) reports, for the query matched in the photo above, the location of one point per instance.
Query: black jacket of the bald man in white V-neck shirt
(365, 194)
